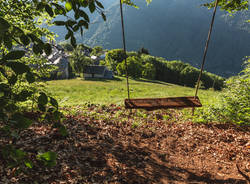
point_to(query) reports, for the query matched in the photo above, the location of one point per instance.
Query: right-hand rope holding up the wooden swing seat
(206, 48)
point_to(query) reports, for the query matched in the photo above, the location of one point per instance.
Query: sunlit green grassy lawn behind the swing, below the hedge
(79, 91)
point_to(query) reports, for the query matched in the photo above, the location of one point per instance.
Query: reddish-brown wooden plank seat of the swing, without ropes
(162, 103)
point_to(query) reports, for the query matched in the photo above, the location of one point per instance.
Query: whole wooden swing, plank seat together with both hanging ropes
(170, 102)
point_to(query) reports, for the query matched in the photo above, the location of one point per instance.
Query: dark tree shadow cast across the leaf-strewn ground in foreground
(109, 154)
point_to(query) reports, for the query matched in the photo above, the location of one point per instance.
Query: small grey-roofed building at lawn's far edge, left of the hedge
(96, 71)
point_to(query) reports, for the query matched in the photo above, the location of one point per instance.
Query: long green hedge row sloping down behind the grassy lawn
(157, 68)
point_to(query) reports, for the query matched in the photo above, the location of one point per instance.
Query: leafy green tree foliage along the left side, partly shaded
(21, 34)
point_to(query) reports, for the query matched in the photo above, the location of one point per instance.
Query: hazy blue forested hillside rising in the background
(175, 30)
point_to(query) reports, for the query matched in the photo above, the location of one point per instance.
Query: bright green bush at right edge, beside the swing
(234, 104)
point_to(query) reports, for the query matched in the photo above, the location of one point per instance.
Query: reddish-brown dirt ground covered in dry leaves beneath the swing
(116, 150)
